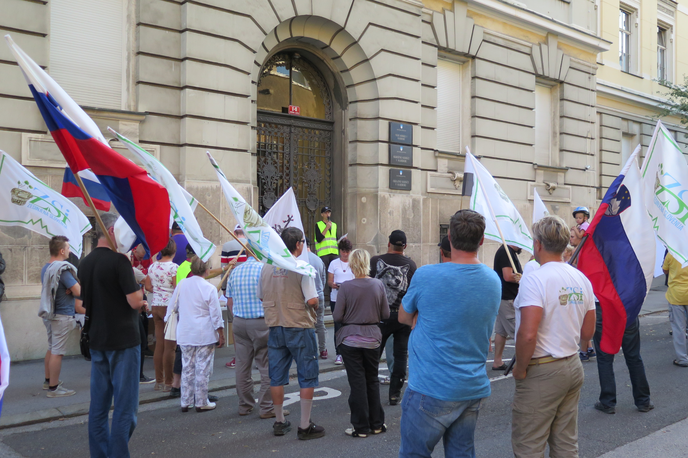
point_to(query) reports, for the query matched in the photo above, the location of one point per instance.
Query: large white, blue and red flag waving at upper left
(142, 202)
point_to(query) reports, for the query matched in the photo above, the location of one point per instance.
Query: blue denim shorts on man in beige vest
(287, 344)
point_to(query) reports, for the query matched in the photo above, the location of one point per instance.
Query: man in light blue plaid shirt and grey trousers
(250, 337)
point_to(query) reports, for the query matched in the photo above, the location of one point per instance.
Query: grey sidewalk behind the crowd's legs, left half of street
(26, 403)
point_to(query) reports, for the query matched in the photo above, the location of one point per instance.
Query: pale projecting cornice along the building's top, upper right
(542, 23)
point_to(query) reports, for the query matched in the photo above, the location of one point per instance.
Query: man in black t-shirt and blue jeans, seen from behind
(113, 300)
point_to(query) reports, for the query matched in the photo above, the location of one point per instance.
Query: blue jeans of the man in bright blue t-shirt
(426, 420)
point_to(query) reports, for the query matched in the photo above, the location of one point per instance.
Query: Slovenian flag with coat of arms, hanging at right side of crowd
(618, 256)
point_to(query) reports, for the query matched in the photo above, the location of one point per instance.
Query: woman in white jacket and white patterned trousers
(200, 328)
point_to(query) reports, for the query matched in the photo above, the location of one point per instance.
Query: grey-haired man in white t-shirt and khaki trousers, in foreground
(555, 309)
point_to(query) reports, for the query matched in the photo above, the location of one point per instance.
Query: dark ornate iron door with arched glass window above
(294, 150)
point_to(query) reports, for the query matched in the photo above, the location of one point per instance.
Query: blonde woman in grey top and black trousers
(361, 305)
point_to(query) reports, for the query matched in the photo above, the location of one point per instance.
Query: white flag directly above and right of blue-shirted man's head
(488, 199)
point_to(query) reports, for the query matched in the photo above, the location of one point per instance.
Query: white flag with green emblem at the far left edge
(27, 202)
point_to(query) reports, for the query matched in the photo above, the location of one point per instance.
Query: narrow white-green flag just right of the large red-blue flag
(182, 203)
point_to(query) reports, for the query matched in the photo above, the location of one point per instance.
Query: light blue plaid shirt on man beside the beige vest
(242, 287)
